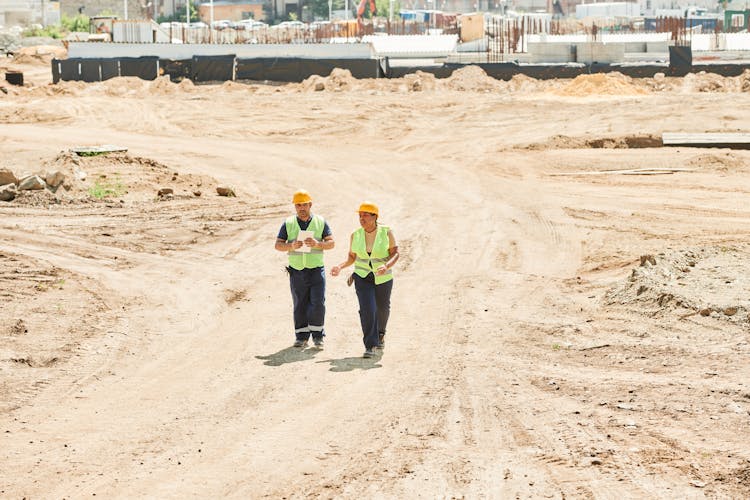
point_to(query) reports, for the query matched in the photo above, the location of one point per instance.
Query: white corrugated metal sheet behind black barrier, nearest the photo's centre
(412, 46)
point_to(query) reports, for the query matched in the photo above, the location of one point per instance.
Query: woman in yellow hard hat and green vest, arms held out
(373, 251)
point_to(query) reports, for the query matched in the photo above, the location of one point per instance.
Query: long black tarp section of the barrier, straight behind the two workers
(298, 69)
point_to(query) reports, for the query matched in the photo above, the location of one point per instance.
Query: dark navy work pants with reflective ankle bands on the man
(308, 296)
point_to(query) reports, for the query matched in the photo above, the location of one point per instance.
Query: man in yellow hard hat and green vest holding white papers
(304, 236)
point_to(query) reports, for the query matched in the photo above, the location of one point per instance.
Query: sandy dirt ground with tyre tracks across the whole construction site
(565, 324)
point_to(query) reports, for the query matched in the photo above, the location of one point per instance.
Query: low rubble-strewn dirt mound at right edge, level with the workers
(708, 281)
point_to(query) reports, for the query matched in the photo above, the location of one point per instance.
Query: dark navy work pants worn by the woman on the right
(374, 307)
